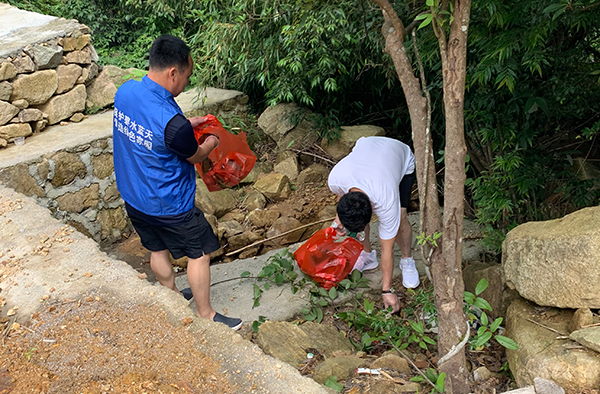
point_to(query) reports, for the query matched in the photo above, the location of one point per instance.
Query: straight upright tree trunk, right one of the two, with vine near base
(447, 272)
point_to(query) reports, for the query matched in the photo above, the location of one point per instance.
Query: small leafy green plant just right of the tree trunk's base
(486, 330)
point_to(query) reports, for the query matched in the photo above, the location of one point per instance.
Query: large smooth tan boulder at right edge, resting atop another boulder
(544, 261)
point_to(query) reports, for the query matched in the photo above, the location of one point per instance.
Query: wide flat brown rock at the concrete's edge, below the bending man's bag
(287, 341)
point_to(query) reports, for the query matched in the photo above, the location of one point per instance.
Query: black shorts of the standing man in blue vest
(193, 239)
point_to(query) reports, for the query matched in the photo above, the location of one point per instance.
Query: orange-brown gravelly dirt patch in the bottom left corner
(91, 346)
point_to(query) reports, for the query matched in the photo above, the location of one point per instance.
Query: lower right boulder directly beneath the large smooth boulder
(540, 354)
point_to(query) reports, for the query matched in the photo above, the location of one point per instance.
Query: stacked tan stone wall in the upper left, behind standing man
(51, 82)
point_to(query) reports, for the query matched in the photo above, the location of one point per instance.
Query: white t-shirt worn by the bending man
(376, 166)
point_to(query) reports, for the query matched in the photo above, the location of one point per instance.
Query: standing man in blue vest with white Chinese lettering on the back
(154, 155)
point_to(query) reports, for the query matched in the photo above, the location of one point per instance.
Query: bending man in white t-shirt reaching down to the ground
(377, 177)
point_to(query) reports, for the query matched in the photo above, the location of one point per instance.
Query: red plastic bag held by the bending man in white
(325, 260)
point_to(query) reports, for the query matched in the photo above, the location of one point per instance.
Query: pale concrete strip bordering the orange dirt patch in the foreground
(80, 267)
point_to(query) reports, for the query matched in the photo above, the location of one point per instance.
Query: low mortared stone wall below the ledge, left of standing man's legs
(78, 186)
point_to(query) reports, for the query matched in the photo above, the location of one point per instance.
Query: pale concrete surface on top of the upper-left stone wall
(18, 28)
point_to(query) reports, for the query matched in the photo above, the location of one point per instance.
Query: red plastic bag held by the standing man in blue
(228, 163)
